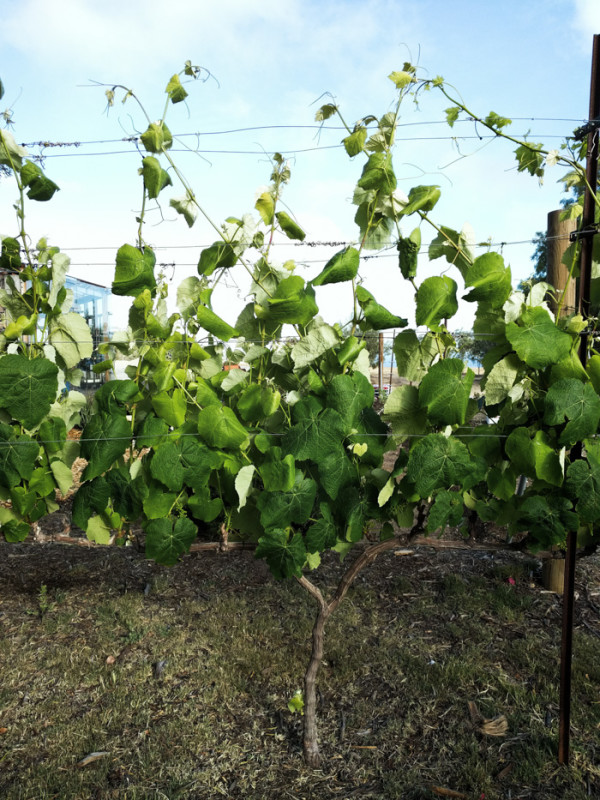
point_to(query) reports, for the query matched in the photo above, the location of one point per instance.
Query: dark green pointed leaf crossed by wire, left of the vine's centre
(104, 439)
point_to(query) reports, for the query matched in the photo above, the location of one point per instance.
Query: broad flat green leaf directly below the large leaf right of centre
(437, 462)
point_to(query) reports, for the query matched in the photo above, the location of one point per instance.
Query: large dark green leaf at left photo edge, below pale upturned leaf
(27, 388)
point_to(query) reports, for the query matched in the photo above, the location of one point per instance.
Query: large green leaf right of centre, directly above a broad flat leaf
(445, 393)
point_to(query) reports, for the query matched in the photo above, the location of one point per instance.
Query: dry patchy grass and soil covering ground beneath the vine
(414, 642)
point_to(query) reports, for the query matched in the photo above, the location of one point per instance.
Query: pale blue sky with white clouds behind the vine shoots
(272, 61)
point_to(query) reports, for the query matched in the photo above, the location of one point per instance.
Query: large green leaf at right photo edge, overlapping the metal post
(578, 403)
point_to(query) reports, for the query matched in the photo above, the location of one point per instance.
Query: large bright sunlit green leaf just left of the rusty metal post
(537, 341)
